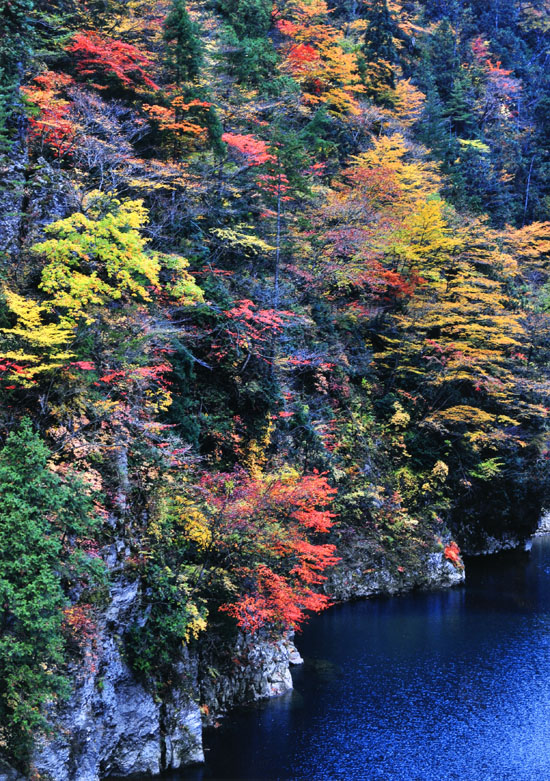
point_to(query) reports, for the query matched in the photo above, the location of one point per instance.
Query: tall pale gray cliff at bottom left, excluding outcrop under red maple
(114, 726)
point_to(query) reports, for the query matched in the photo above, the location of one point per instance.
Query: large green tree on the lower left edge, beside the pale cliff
(41, 515)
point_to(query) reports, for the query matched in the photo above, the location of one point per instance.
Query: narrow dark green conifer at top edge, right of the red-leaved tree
(184, 37)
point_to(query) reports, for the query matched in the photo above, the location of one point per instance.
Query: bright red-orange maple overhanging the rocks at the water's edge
(268, 520)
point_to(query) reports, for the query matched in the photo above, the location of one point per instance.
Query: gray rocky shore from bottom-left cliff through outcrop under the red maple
(113, 725)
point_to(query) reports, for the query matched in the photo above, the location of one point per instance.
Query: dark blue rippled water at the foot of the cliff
(425, 687)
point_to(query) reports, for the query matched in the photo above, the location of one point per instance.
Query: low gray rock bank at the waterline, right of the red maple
(355, 577)
